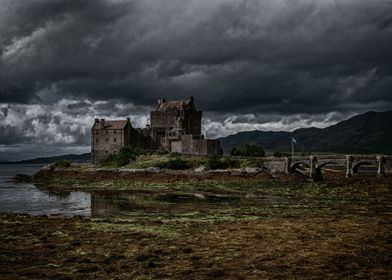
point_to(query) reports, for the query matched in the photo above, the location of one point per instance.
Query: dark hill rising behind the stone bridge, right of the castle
(367, 133)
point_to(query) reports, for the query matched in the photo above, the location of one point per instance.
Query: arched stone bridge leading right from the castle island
(316, 163)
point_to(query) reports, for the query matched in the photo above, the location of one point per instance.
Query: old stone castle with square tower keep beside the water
(175, 126)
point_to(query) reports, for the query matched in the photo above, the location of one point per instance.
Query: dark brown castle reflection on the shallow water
(114, 203)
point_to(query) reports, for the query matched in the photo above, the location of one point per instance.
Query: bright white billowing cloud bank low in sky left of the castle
(66, 122)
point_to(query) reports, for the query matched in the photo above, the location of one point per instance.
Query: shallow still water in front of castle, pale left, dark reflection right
(40, 200)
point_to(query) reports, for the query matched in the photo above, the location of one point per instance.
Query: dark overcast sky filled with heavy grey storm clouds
(268, 65)
